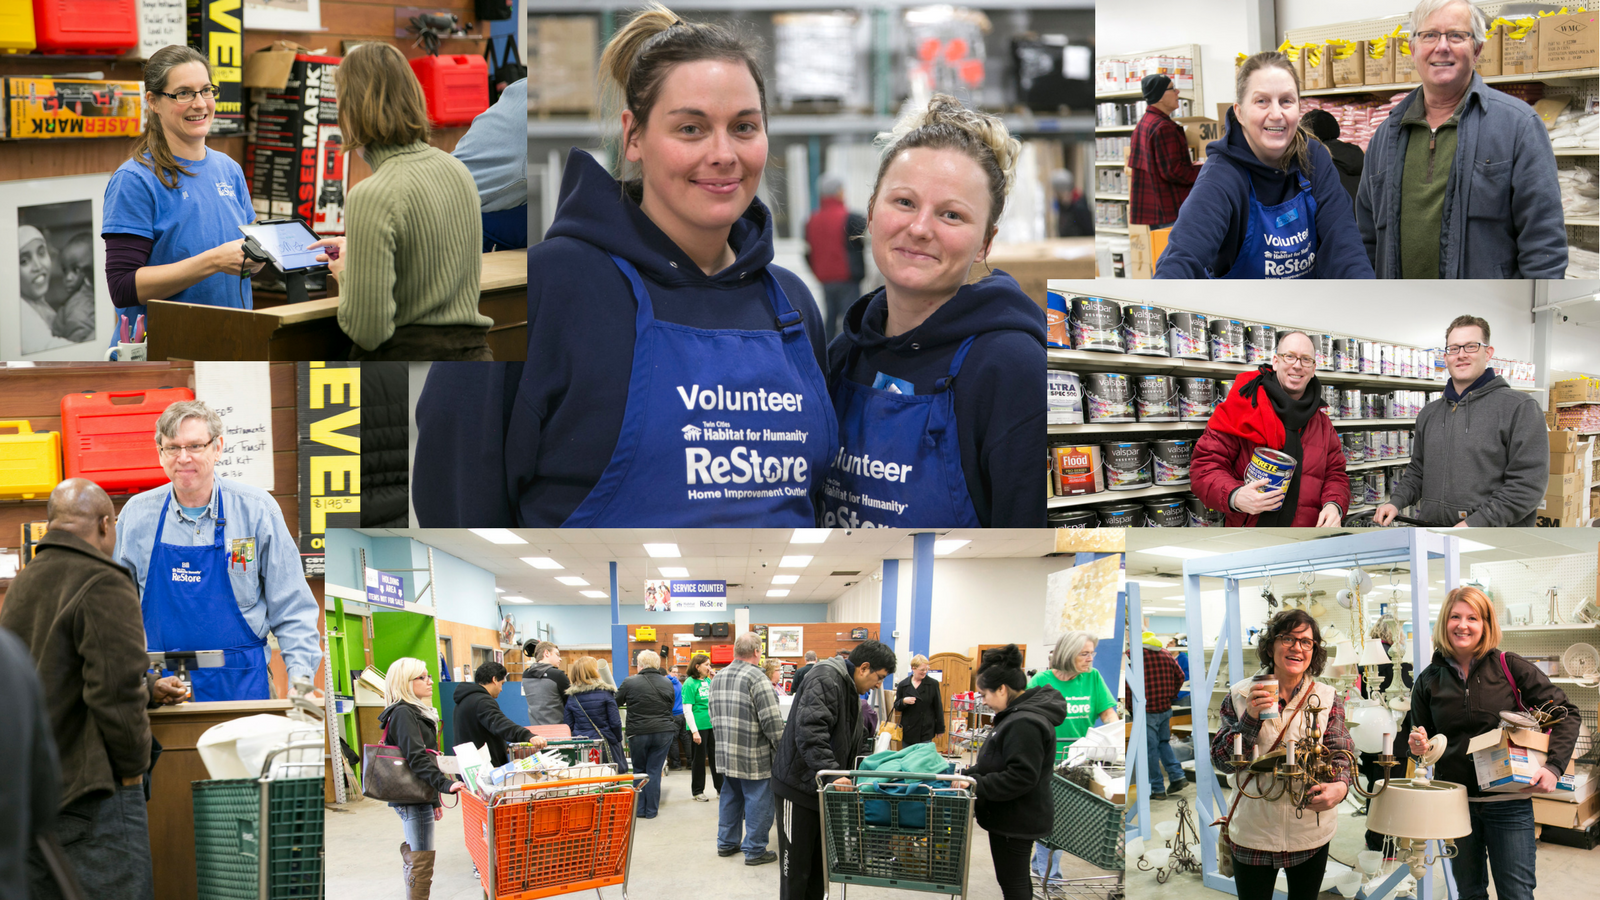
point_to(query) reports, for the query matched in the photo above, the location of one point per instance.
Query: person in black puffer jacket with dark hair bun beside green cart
(1014, 769)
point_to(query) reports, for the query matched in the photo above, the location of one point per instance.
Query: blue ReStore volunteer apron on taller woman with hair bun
(724, 428)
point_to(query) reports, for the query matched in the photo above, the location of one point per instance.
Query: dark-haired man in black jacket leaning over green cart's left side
(823, 733)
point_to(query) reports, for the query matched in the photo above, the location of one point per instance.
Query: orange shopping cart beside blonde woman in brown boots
(554, 837)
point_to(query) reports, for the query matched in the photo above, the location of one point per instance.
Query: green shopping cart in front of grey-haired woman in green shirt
(1089, 827)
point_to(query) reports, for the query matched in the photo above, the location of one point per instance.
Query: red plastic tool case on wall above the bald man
(110, 436)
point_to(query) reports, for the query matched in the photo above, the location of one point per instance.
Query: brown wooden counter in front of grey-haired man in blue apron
(172, 800)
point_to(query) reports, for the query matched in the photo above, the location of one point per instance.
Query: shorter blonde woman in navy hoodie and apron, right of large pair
(938, 384)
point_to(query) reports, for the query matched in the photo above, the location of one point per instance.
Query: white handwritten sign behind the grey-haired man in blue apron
(242, 395)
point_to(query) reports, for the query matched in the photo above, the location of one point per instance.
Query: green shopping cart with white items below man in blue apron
(263, 838)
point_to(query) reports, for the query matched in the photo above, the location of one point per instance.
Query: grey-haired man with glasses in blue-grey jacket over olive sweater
(1460, 180)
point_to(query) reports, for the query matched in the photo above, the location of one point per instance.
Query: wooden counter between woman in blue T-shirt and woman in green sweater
(311, 331)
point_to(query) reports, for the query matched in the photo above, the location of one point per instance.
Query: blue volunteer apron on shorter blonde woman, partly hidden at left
(900, 460)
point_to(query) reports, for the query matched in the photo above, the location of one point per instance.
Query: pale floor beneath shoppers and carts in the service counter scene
(676, 856)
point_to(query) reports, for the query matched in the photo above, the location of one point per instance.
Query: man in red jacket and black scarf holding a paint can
(1278, 408)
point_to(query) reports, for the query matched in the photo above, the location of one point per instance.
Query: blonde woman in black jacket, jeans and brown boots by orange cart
(412, 725)
